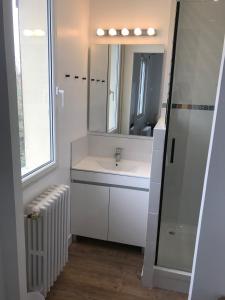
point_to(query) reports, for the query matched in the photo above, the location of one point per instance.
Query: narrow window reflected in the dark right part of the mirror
(141, 90)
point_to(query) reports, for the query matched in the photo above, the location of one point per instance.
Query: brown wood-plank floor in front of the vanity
(105, 271)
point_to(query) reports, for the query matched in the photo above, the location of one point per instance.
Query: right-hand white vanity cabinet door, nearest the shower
(128, 213)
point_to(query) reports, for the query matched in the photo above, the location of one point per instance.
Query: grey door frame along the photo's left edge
(12, 240)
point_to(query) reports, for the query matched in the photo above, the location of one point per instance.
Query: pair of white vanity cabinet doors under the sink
(109, 213)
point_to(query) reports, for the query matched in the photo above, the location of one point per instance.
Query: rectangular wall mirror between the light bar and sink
(125, 88)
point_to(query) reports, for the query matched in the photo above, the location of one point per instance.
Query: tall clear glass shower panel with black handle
(199, 45)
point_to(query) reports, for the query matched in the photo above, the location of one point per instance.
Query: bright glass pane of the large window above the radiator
(33, 56)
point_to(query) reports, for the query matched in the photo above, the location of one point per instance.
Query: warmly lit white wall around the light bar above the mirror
(132, 13)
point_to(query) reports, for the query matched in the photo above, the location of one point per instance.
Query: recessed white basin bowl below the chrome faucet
(121, 166)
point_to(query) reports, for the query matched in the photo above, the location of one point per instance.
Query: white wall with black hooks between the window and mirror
(71, 41)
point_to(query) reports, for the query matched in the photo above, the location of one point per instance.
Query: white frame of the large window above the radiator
(49, 166)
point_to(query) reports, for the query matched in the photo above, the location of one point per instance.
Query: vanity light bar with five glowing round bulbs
(126, 32)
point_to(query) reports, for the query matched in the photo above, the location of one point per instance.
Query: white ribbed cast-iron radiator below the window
(47, 228)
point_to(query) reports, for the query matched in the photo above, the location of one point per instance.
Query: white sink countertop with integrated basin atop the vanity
(108, 165)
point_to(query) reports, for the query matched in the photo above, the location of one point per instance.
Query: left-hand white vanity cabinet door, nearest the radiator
(89, 210)
